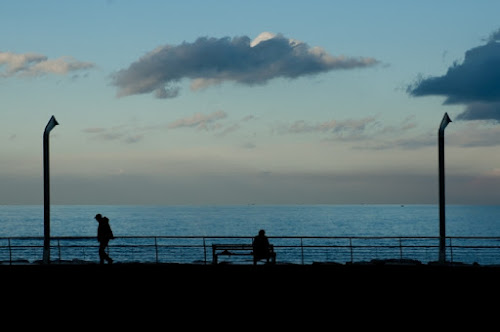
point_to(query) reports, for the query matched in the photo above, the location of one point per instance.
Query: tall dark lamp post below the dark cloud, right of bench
(442, 221)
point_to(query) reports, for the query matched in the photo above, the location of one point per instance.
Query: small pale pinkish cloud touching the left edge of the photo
(32, 64)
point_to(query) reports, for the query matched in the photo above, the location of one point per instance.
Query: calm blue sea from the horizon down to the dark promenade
(245, 221)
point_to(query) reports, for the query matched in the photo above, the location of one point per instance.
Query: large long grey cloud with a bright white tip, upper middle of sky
(210, 61)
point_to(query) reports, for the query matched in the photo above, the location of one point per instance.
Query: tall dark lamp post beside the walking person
(46, 190)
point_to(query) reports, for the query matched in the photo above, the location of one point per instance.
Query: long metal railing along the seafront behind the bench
(289, 249)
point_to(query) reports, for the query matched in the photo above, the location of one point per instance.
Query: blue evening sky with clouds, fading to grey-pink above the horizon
(249, 102)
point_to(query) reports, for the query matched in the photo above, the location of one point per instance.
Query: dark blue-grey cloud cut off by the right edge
(475, 82)
